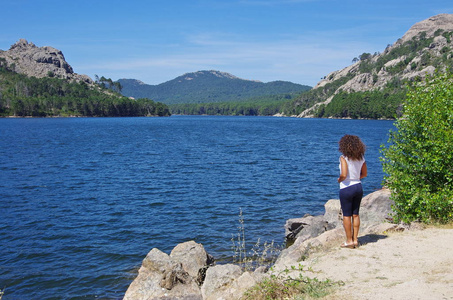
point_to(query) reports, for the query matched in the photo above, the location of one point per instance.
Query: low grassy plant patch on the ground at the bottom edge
(282, 286)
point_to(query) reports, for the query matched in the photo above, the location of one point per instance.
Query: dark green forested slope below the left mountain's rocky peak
(21, 95)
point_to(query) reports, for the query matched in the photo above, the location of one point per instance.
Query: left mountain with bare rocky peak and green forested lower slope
(38, 82)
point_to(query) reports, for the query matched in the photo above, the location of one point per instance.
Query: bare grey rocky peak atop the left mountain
(26, 58)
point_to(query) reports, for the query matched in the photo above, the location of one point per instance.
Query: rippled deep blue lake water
(83, 200)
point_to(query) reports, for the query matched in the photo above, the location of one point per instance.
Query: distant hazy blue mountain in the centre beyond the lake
(207, 87)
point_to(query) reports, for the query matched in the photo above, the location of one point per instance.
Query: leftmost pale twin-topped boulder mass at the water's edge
(174, 276)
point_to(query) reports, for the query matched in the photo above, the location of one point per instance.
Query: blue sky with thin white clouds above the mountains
(155, 41)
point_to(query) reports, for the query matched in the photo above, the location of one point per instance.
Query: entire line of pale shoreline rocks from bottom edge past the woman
(190, 273)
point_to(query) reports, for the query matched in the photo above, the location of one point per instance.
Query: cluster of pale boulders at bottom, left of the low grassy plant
(189, 273)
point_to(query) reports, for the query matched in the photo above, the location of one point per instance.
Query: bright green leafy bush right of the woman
(418, 160)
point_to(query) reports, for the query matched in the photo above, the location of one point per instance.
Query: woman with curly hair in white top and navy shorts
(352, 170)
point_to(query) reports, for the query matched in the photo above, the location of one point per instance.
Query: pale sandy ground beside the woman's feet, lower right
(414, 264)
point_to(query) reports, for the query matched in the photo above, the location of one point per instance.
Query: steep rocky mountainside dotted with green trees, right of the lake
(374, 85)
